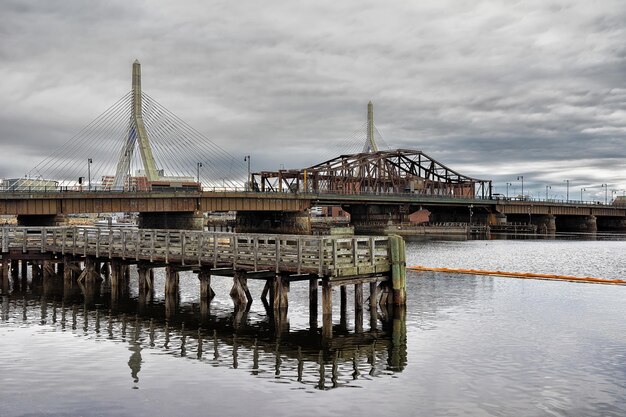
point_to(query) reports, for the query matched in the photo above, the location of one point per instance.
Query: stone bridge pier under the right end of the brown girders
(298, 223)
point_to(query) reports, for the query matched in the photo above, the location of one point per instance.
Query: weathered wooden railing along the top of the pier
(301, 254)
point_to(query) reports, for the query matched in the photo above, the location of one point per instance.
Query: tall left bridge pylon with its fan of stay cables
(113, 153)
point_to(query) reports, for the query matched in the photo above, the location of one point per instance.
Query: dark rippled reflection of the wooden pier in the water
(264, 345)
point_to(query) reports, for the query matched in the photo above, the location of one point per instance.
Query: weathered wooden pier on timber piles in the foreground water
(87, 254)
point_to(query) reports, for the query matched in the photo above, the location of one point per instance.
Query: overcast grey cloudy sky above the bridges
(493, 89)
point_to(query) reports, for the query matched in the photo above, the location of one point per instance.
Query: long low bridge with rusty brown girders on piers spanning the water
(288, 212)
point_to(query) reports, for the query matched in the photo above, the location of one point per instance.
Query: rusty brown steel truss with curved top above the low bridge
(399, 171)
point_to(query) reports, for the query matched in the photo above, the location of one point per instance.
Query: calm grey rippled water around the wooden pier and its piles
(468, 346)
